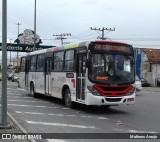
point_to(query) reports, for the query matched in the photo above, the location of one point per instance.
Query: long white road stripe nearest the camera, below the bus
(61, 125)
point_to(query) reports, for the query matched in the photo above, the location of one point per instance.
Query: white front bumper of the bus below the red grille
(103, 100)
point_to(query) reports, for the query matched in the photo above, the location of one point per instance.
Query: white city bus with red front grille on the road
(93, 73)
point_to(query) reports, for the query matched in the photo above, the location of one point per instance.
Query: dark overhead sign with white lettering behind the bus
(23, 47)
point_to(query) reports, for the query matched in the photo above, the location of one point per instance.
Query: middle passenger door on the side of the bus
(48, 76)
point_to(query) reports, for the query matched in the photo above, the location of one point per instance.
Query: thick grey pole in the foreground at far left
(4, 124)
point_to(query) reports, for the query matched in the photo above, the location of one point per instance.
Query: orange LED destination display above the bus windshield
(109, 47)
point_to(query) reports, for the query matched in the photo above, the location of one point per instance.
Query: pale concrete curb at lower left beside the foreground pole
(19, 126)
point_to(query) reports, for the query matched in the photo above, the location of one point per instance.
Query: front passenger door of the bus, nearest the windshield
(81, 72)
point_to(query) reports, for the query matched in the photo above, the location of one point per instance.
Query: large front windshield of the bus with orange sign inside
(111, 69)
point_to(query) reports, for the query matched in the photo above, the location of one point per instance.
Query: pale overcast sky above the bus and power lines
(136, 22)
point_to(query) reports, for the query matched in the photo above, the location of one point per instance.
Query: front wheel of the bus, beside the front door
(67, 98)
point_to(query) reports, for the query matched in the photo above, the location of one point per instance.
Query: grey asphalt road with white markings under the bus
(49, 115)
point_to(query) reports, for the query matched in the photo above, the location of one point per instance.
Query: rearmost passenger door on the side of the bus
(27, 74)
